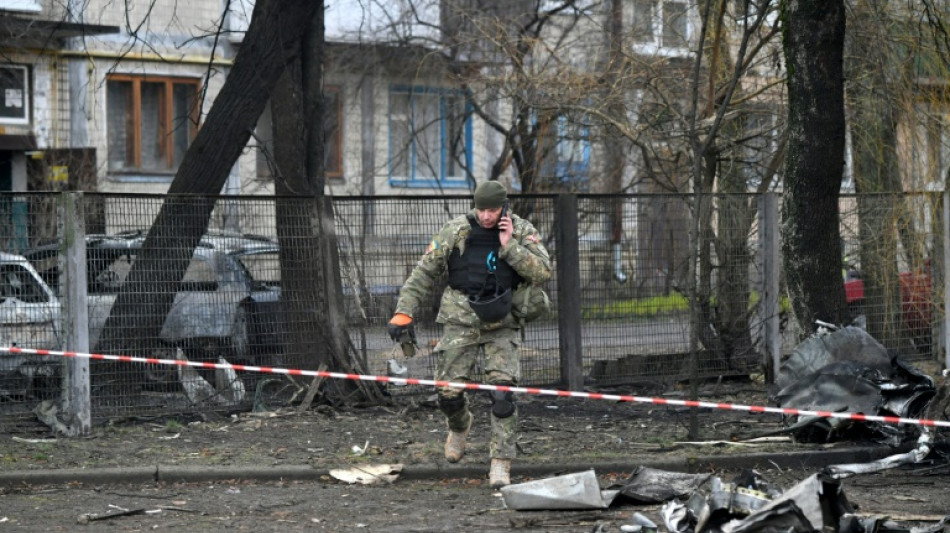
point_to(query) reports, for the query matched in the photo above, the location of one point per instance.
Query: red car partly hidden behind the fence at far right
(916, 302)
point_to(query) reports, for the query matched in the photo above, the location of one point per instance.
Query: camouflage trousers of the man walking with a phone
(458, 353)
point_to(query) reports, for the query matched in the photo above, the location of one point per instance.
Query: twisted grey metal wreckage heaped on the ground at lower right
(838, 370)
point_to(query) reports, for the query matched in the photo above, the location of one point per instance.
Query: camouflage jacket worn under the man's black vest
(524, 252)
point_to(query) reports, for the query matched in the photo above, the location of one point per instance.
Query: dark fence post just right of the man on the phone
(569, 292)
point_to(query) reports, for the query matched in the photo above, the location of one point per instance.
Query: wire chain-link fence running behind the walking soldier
(248, 280)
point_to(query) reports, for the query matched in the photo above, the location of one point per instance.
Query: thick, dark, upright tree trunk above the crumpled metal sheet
(814, 45)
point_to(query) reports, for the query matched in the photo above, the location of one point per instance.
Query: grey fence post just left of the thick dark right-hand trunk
(768, 222)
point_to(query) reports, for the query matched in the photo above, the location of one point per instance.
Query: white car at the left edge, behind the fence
(29, 318)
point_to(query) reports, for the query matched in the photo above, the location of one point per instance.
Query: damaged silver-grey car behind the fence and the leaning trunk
(227, 304)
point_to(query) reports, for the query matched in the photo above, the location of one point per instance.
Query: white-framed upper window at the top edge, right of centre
(661, 26)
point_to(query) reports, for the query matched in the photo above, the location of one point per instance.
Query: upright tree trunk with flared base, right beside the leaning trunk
(311, 286)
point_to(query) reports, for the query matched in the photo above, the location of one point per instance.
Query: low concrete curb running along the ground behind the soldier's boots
(193, 474)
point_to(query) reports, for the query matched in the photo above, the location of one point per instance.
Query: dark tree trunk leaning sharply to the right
(272, 40)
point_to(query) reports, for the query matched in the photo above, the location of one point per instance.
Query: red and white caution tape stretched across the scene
(482, 386)
